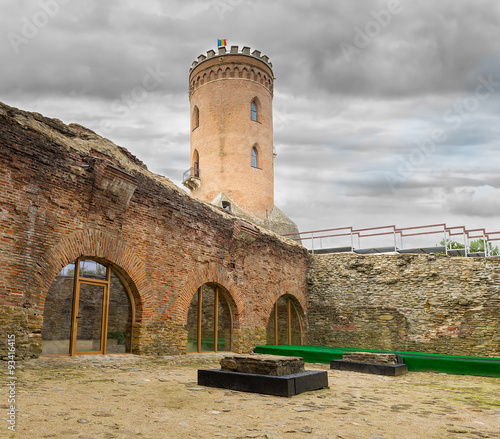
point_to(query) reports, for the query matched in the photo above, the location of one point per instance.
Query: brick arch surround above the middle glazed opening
(209, 273)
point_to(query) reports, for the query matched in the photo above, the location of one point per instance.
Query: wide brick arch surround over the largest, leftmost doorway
(89, 243)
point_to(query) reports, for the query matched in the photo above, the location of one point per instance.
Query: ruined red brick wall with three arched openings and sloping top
(65, 192)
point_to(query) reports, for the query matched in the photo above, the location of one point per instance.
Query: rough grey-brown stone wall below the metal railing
(422, 303)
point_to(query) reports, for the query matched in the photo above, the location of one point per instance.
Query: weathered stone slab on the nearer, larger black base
(262, 364)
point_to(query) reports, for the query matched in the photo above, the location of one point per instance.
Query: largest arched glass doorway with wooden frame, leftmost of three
(88, 310)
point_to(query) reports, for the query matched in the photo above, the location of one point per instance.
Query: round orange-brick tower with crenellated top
(232, 157)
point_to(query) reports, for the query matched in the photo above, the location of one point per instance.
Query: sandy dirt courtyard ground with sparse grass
(126, 396)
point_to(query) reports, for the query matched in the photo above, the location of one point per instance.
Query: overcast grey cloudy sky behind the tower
(385, 112)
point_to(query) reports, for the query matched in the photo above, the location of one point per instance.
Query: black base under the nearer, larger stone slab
(286, 385)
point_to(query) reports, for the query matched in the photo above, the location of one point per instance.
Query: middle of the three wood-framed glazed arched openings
(210, 321)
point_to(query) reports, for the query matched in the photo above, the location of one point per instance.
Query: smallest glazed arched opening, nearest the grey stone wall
(284, 325)
